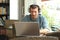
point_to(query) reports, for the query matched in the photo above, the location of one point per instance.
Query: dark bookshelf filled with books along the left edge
(4, 14)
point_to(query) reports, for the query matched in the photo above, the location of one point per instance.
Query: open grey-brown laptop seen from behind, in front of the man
(27, 28)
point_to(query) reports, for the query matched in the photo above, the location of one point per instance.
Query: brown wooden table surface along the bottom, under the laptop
(35, 38)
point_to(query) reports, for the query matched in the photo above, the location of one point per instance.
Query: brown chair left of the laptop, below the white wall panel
(10, 31)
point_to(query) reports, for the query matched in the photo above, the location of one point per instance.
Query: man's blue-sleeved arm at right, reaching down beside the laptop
(45, 26)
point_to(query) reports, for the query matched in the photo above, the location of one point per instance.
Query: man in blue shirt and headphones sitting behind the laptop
(34, 16)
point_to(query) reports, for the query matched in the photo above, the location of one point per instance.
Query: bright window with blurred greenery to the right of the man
(51, 9)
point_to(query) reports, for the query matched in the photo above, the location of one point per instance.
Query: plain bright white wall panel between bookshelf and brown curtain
(13, 9)
